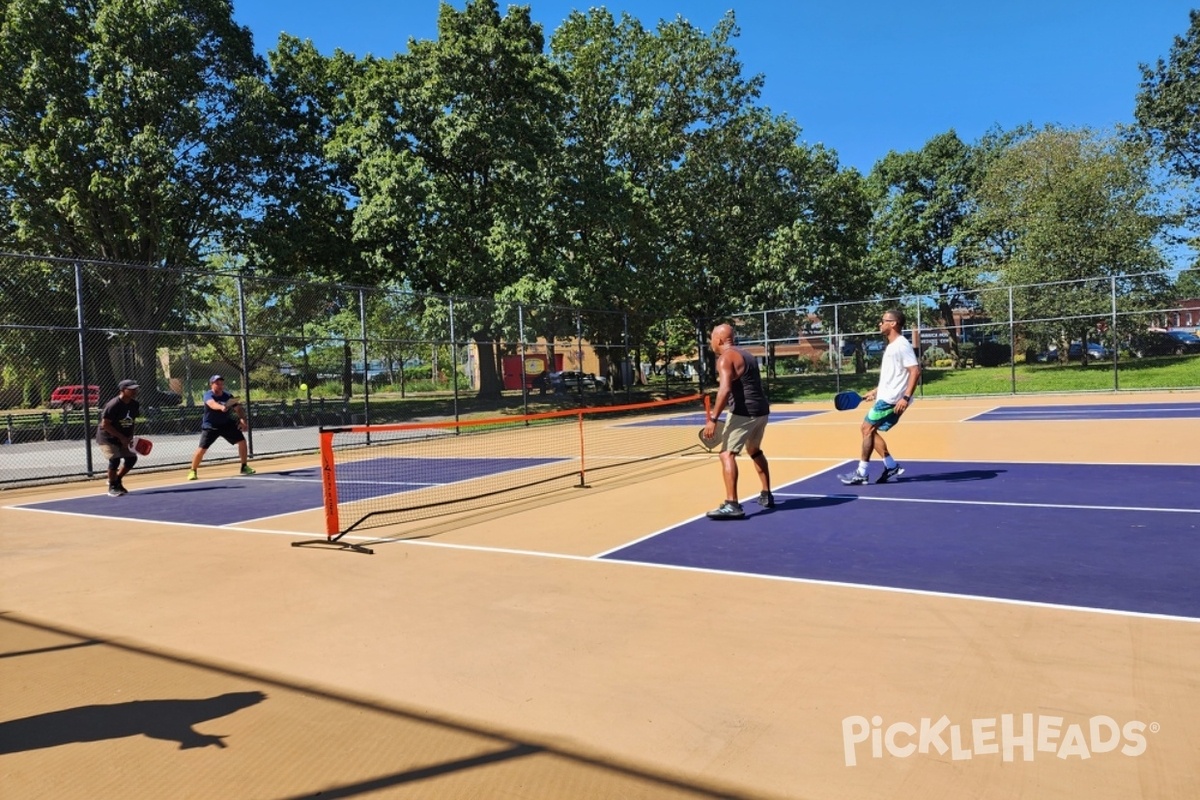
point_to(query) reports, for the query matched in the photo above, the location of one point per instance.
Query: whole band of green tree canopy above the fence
(613, 167)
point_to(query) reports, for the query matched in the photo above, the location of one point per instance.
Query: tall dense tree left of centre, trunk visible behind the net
(455, 140)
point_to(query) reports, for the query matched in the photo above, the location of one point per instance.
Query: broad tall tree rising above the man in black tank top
(679, 181)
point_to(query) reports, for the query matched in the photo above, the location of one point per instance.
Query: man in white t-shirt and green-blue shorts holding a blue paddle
(899, 374)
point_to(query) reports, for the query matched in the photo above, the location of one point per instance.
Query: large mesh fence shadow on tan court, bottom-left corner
(281, 749)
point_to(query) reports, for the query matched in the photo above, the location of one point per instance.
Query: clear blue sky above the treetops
(862, 77)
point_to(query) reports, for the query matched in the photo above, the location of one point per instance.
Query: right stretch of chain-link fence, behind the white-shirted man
(1120, 328)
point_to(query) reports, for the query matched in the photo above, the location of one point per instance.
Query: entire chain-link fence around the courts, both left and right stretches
(304, 354)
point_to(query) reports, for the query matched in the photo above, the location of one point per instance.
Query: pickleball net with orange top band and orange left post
(379, 476)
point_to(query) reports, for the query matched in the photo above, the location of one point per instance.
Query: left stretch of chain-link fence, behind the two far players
(299, 354)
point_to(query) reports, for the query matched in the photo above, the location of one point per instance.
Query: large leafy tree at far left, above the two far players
(127, 139)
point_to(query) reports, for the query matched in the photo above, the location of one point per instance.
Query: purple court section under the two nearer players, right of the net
(1119, 538)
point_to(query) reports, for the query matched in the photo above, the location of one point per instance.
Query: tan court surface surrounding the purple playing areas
(493, 655)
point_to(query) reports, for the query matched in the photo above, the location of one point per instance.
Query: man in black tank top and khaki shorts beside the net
(741, 392)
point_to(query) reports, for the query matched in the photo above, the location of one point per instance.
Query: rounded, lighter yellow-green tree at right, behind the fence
(1059, 209)
